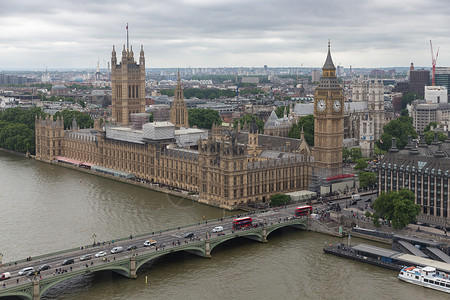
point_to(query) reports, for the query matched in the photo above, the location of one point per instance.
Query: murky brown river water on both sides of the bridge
(45, 208)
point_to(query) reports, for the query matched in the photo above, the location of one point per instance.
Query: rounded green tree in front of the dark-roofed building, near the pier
(397, 207)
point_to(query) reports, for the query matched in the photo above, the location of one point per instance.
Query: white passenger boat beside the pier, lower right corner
(427, 277)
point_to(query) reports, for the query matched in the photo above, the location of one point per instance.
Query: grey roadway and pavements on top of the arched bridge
(164, 239)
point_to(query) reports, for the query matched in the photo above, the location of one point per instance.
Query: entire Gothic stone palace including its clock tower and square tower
(226, 167)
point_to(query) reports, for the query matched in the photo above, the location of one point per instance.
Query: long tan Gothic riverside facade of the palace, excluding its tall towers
(223, 171)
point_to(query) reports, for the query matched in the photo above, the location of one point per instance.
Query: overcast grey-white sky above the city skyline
(216, 33)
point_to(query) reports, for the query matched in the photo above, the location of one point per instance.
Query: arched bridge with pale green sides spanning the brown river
(128, 262)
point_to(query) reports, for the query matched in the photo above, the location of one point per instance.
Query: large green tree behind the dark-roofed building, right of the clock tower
(399, 128)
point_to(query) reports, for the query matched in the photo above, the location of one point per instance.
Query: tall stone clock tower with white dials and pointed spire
(328, 122)
